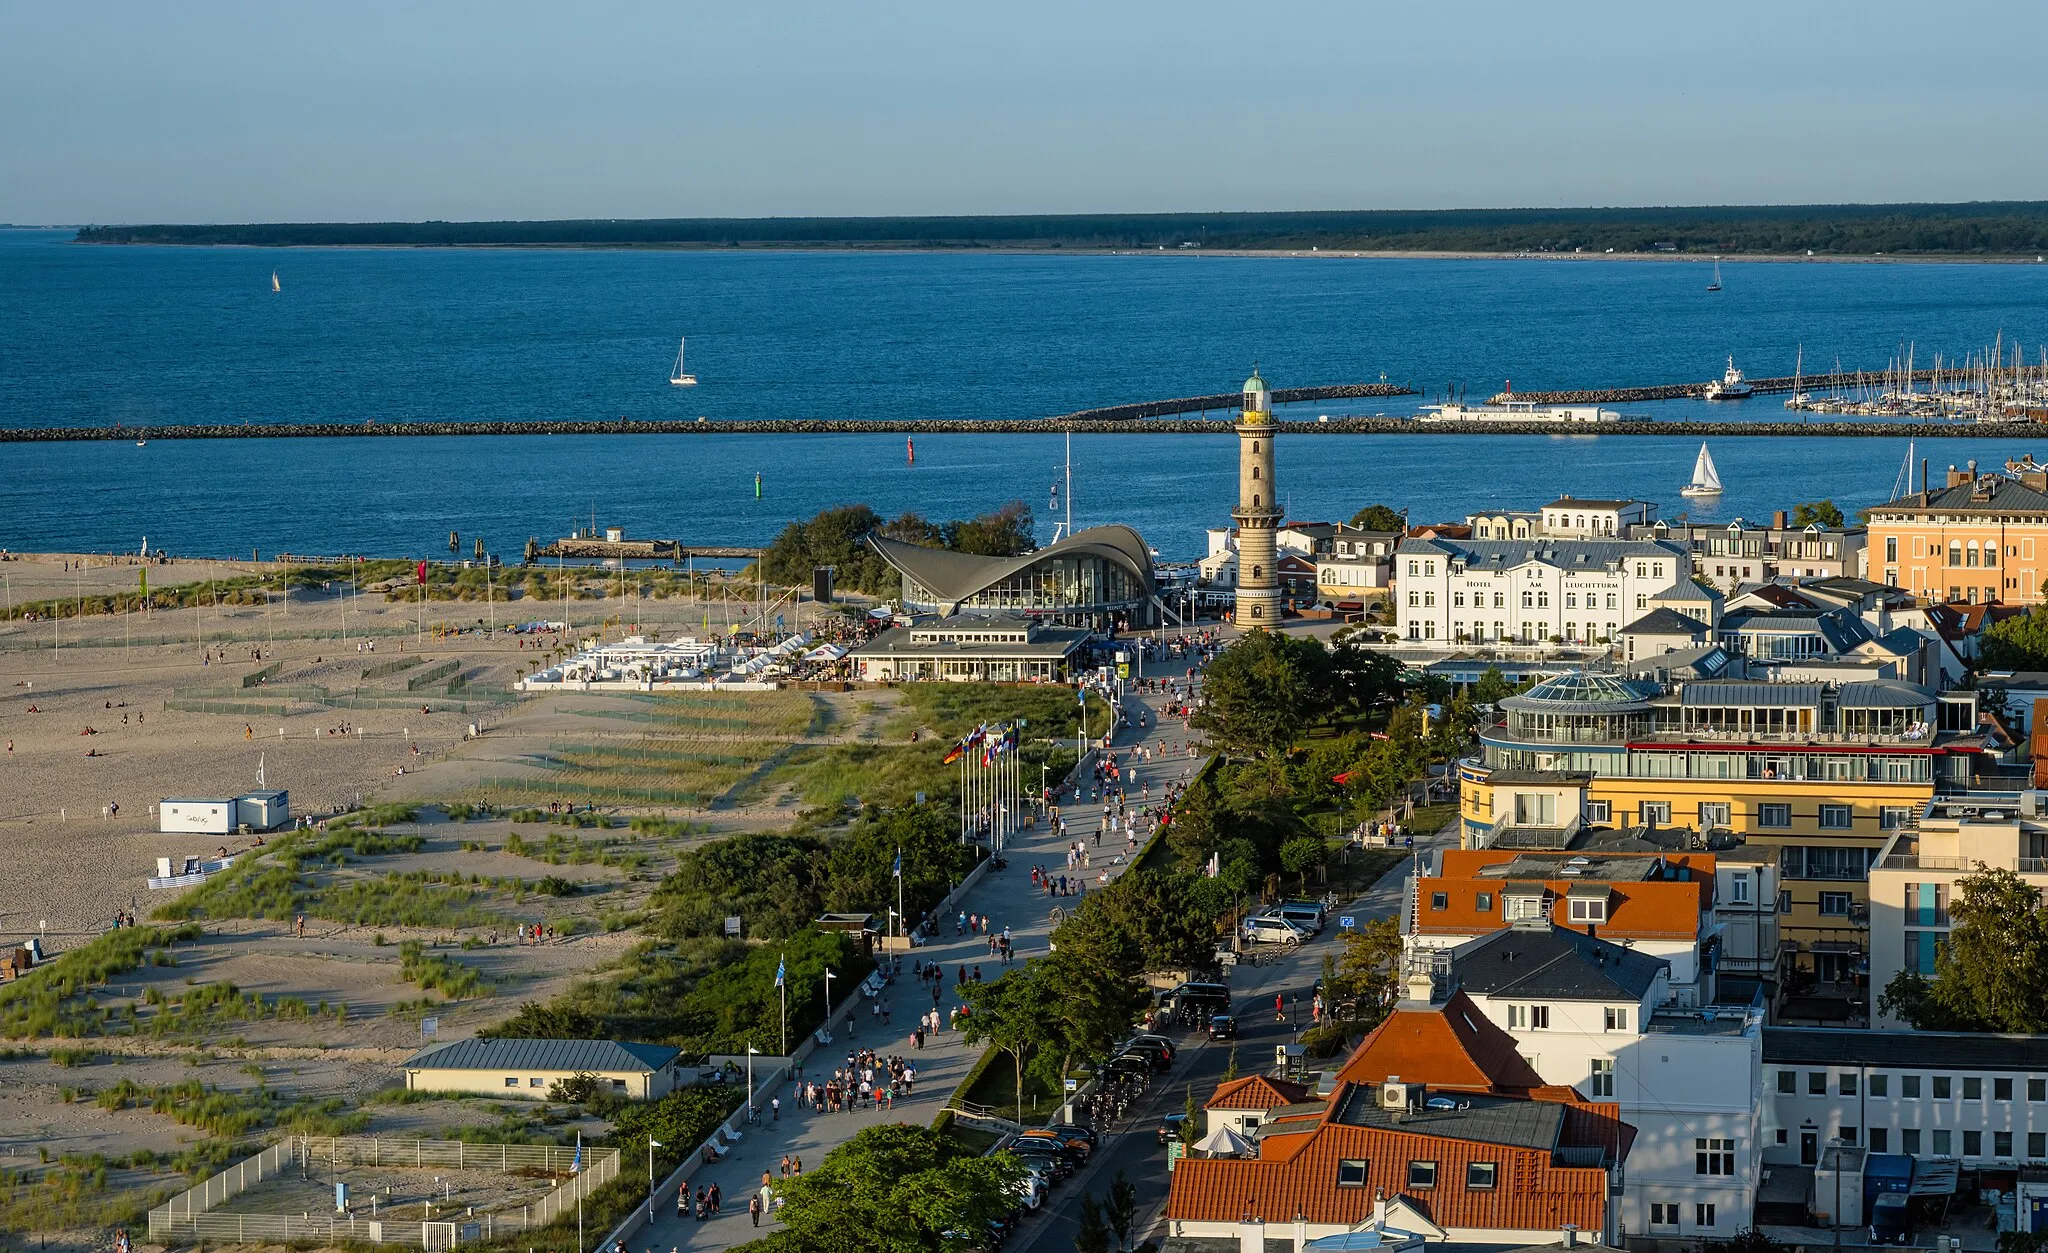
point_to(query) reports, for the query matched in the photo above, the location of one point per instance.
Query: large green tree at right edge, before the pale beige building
(1992, 971)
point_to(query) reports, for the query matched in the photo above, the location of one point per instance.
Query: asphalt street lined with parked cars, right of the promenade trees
(1201, 1066)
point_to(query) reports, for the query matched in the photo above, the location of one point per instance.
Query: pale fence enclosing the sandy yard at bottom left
(191, 1213)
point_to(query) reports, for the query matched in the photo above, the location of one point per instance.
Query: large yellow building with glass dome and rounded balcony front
(1824, 775)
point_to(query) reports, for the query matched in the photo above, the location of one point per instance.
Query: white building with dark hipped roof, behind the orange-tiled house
(1596, 1017)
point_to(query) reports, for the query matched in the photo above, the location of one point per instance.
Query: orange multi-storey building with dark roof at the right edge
(1977, 539)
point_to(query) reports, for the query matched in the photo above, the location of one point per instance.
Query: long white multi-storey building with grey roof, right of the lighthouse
(1531, 591)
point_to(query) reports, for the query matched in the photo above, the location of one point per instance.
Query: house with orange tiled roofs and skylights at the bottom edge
(1435, 1129)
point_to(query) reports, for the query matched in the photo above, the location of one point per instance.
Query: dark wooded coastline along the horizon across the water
(1988, 228)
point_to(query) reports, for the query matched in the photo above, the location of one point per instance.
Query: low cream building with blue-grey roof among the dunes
(531, 1068)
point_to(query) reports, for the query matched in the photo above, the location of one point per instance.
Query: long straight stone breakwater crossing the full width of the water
(914, 427)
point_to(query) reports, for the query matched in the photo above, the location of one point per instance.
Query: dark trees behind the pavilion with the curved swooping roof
(839, 539)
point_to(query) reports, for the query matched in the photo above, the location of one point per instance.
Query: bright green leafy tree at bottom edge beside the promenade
(894, 1191)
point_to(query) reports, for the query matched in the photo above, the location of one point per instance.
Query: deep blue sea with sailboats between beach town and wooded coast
(103, 335)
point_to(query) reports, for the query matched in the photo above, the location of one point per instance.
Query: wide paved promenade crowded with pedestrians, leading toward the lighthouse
(1009, 900)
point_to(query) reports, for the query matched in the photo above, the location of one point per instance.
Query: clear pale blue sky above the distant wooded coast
(368, 110)
